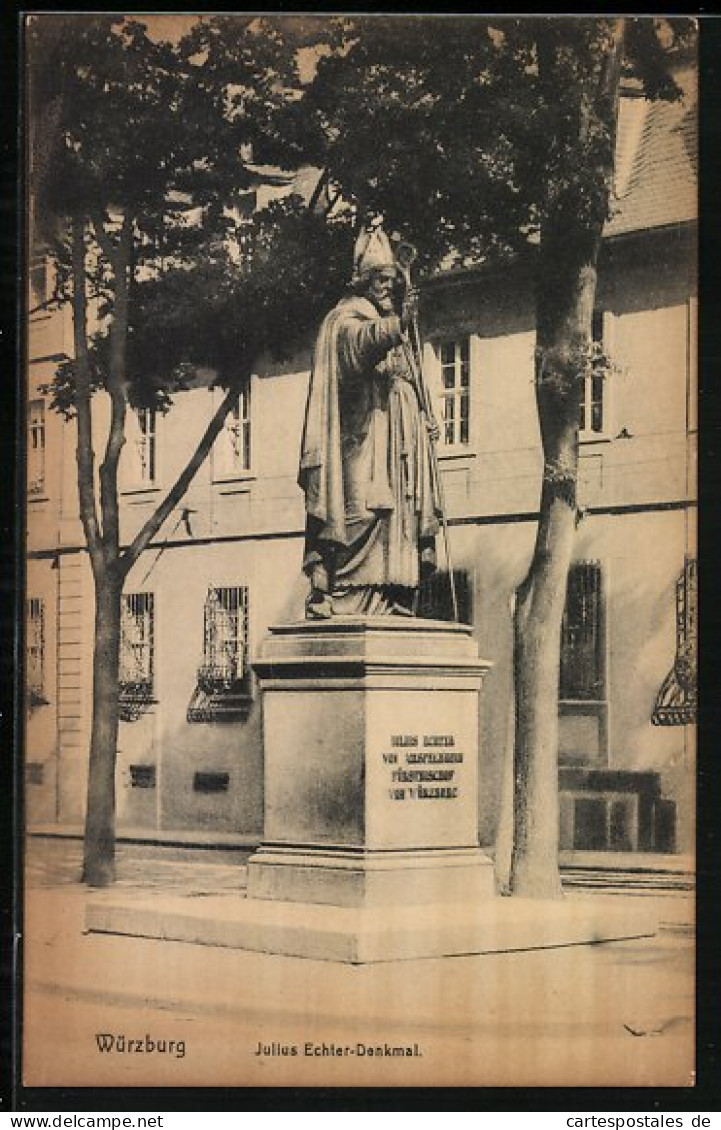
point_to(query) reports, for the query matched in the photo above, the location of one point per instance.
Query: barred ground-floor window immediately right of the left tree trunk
(137, 654)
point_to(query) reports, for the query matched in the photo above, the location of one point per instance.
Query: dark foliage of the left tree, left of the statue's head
(176, 136)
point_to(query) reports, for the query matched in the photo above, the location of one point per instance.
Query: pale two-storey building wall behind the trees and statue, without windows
(637, 483)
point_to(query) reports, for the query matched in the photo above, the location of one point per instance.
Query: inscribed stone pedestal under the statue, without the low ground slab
(371, 747)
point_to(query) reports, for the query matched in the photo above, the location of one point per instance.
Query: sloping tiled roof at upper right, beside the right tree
(657, 176)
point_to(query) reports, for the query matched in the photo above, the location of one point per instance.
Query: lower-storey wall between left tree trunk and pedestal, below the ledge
(163, 737)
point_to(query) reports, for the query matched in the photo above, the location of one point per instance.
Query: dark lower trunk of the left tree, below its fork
(99, 867)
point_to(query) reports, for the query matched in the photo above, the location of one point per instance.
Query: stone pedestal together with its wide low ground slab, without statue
(371, 853)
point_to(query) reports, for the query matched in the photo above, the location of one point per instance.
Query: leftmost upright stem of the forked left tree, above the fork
(85, 455)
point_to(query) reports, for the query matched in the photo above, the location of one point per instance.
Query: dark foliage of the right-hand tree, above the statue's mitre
(457, 133)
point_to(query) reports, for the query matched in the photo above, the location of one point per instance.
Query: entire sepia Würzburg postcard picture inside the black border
(361, 572)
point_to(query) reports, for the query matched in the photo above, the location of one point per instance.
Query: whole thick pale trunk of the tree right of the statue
(570, 245)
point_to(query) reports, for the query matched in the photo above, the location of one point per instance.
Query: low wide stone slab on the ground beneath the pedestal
(366, 936)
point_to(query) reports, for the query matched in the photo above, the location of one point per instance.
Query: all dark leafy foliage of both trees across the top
(466, 134)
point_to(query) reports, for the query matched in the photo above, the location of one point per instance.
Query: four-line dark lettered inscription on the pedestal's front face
(422, 767)
